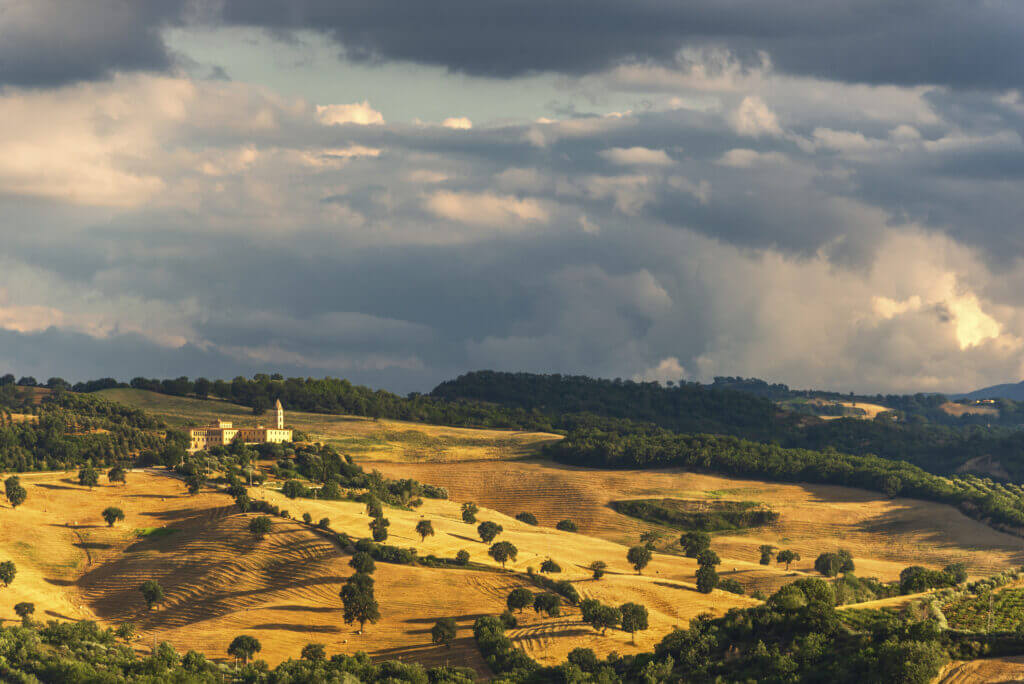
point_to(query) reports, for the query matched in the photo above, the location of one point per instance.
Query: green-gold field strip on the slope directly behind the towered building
(370, 440)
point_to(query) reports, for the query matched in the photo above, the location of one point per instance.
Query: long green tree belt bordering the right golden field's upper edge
(732, 456)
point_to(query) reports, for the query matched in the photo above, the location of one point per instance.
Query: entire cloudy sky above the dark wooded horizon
(826, 195)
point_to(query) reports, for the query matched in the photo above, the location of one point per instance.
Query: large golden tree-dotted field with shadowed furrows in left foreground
(222, 582)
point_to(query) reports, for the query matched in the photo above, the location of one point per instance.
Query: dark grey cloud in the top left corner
(47, 44)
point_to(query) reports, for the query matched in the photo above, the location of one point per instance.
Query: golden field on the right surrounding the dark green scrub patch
(884, 535)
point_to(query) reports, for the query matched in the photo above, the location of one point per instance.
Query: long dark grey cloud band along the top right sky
(969, 45)
